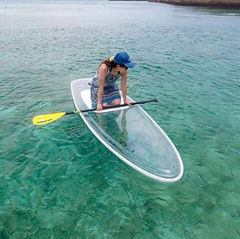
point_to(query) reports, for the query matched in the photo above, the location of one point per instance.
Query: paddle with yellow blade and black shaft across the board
(48, 118)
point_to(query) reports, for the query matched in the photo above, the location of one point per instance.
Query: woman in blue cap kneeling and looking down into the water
(104, 89)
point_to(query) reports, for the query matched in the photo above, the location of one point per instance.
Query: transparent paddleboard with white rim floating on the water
(132, 135)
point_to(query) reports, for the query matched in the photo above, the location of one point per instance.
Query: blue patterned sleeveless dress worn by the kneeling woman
(110, 89)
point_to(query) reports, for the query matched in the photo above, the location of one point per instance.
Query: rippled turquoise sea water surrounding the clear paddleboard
(58, 181)
